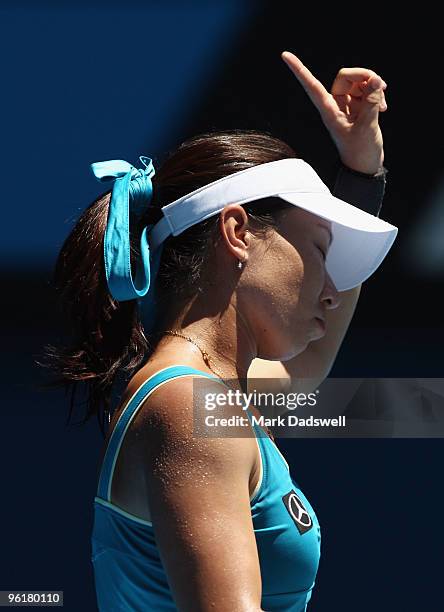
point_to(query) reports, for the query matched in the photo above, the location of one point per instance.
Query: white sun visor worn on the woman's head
(360, 240)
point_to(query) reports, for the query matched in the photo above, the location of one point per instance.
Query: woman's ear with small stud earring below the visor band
(234, 229)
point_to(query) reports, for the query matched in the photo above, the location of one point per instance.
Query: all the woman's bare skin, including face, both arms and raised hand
(197, 490)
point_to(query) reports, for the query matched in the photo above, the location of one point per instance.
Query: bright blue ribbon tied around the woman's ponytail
(132, 187)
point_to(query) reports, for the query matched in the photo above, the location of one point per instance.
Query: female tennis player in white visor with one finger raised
(230, 261)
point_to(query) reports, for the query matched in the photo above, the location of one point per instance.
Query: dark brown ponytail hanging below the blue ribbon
(106, 336)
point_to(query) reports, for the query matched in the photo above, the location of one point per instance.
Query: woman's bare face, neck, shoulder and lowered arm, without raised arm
(195, 490)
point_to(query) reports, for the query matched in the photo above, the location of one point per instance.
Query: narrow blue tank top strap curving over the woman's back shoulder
(127, 415)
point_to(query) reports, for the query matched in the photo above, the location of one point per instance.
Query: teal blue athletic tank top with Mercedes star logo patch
(128, 572)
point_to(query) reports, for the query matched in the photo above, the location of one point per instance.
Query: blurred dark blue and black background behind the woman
(92, 81)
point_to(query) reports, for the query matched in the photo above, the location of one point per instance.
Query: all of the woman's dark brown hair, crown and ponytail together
(106, 336)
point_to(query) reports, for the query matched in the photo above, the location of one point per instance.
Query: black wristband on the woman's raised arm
(366, 191)
